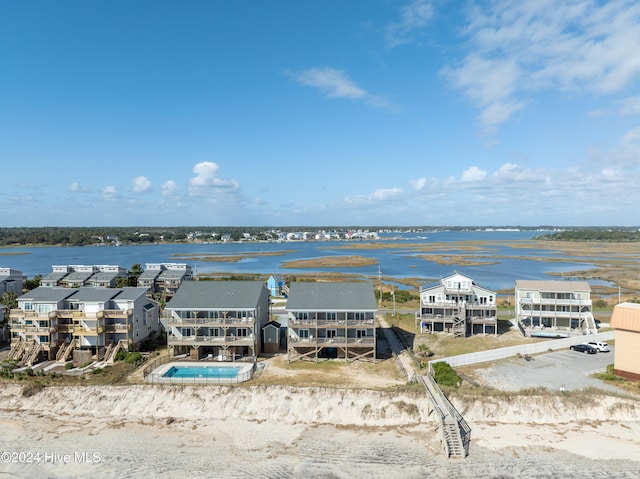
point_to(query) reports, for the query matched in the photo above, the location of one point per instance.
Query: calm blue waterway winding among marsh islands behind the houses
(397, 261)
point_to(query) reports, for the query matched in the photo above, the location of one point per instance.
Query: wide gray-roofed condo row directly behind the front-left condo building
(76, 276)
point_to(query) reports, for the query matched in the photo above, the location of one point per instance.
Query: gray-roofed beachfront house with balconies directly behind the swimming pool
(219, 320)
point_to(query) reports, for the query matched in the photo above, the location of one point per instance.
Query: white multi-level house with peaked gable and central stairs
(457, 305)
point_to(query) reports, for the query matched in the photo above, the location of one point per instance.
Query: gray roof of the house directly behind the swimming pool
(217, 295)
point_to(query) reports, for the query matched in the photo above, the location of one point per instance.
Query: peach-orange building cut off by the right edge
(626, 320)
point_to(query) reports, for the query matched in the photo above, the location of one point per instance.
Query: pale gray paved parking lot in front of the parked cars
(559, 370)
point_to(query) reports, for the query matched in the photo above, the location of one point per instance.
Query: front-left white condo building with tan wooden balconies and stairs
(51, 322)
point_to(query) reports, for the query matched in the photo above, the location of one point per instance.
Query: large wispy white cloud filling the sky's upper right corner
(516, 48)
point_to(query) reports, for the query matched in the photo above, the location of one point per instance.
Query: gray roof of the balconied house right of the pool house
(332, 297)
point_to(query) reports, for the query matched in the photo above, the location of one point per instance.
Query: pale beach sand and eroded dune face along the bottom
(288, 432)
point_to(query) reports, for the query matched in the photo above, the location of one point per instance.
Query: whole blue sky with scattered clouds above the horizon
(327, 112)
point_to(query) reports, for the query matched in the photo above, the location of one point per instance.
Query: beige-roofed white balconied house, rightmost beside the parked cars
(554, 308)
